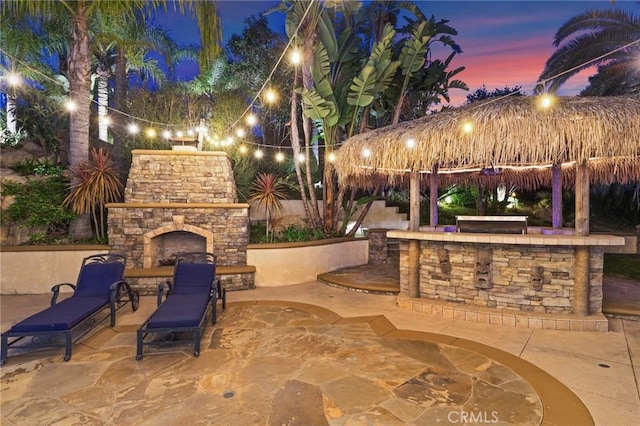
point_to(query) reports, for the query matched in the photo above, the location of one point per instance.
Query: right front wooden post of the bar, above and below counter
(582, 254)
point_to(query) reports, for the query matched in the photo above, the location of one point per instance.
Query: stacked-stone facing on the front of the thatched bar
(514, 270)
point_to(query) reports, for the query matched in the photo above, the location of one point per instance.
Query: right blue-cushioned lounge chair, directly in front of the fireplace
(183, 311)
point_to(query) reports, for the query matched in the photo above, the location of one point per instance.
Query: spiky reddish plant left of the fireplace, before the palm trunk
(98, 183)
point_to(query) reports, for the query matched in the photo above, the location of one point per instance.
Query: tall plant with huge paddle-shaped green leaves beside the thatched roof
(347, 83)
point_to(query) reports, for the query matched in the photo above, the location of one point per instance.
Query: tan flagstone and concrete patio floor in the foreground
(326, 354)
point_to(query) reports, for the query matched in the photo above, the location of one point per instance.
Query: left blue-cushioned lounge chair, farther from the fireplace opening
(99, 287)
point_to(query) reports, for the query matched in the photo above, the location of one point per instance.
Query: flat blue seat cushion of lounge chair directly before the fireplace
(179, 310)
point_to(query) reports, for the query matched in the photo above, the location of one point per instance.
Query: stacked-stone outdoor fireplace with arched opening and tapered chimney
(180, 201)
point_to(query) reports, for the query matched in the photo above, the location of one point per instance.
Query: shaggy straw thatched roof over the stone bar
(513, 135)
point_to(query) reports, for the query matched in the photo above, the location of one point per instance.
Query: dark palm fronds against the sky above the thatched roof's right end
(606, 38)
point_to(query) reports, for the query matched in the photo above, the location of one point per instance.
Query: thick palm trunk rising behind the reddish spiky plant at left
(80, 93)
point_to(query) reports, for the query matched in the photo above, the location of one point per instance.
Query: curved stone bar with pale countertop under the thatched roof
(528, 280)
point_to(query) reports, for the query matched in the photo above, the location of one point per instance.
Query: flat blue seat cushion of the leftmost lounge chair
(61, 316)
